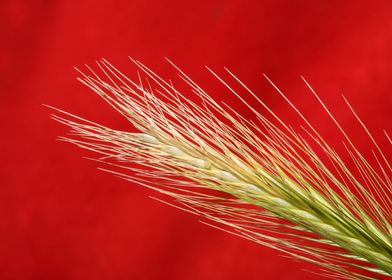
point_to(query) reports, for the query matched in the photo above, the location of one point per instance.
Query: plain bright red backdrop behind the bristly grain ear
(60, 218)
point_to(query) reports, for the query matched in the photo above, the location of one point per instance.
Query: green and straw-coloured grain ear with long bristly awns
(283, 195)
